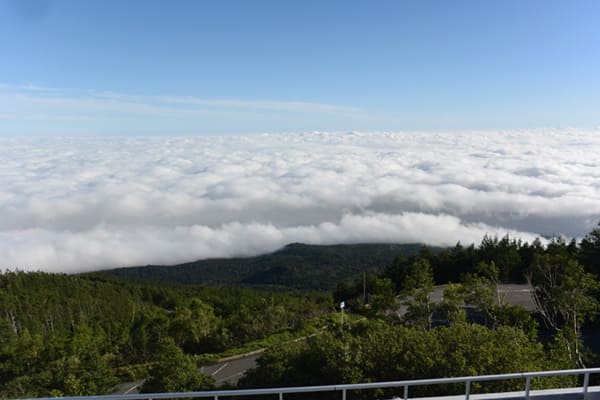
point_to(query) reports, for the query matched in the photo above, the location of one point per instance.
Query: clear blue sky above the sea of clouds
(200, 67)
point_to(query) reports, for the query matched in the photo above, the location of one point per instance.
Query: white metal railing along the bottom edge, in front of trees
(344, 388)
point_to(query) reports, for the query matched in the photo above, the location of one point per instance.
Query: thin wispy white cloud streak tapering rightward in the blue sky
(38, 110)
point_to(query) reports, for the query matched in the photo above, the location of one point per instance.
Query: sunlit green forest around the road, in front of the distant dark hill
(66, 335)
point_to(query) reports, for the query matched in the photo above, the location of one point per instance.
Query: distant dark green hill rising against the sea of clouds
(298, 266)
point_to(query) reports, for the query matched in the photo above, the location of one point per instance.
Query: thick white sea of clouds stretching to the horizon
(79, 204)
